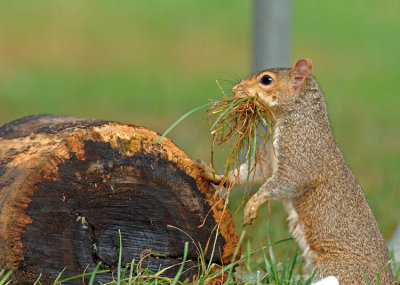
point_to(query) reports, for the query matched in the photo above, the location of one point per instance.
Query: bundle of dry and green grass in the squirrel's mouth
(237, 121)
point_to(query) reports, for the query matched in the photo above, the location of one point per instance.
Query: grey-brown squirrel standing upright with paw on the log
(328, 212)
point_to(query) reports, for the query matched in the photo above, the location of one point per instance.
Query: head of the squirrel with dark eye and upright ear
(275, 87)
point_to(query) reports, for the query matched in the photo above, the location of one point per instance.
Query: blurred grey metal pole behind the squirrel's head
(271, 34)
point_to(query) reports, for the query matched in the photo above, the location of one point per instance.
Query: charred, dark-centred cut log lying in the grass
(67, 185)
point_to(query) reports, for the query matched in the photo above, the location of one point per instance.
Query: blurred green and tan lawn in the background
(148, 62)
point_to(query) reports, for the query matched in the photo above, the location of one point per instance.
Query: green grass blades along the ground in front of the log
(242, 271)
